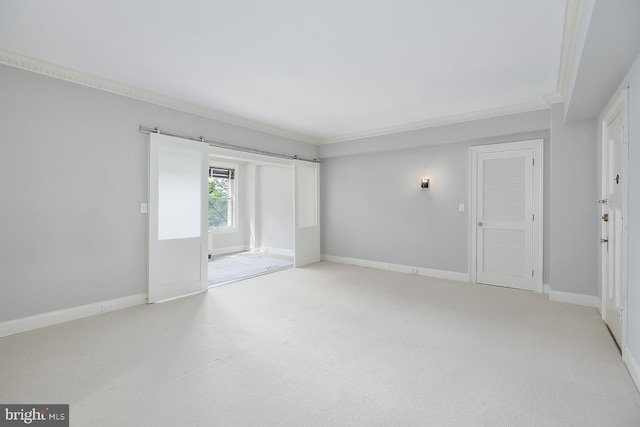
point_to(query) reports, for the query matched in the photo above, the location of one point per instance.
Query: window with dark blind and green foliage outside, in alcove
(221, 198)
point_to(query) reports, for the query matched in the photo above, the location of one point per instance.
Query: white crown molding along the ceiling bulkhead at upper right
(573, 17)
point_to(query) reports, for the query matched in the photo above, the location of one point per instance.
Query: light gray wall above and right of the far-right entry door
(632, 80)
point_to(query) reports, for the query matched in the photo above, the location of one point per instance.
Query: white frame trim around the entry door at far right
(621, 105)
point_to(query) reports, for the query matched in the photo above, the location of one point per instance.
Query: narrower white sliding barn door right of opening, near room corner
(306, 215)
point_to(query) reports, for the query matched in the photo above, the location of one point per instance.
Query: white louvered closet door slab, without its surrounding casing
(505, 219)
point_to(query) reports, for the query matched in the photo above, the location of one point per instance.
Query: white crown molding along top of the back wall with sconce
(525, 107)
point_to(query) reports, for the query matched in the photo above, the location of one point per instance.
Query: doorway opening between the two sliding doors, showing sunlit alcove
(250, 216)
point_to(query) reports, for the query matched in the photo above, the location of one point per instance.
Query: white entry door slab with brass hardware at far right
(614, 174)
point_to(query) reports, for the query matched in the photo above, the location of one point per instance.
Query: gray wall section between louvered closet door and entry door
(574, 209)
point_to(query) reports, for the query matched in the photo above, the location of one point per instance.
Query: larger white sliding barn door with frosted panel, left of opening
(177, 217)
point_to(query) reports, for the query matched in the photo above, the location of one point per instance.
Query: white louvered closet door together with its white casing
(506, 215)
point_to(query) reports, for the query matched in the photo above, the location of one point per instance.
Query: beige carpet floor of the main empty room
(330, 345)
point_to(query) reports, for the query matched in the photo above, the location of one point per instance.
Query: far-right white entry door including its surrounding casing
(614, 231)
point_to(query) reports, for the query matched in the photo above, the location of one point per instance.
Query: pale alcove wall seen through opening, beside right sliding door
(274, 207)
